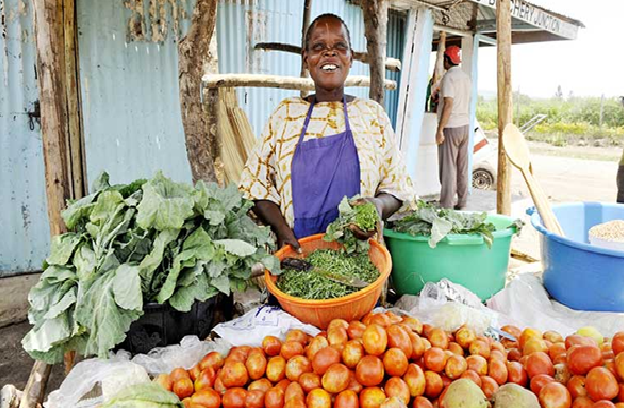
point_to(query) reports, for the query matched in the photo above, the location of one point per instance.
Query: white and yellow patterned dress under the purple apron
(267, 173)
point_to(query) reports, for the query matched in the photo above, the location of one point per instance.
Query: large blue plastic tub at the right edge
(577, 274)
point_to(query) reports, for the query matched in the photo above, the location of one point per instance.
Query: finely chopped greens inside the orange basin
(312, 285)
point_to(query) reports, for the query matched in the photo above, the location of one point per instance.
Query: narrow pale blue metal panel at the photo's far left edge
(24, 231)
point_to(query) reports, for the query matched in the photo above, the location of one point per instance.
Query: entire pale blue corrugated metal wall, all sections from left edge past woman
(129, 92)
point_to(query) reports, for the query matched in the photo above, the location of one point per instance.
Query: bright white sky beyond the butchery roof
(591, 65)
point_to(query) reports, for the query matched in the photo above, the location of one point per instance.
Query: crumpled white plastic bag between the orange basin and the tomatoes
(251, 328)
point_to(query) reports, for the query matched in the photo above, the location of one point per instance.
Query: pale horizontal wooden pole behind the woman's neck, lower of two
(281, 82)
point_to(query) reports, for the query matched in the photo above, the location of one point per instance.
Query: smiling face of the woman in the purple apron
(328, 54)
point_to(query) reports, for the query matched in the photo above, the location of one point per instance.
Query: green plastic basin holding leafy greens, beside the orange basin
(461, 258)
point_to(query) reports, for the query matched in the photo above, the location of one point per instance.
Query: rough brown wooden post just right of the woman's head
(375, 20)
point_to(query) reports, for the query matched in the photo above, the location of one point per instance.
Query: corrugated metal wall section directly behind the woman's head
(280, 21)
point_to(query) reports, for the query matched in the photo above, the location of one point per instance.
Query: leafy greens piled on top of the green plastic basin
(438, 223)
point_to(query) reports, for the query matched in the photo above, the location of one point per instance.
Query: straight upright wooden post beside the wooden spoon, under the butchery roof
(505, 103)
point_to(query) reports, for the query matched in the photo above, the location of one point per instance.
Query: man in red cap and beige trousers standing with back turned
(452, 136)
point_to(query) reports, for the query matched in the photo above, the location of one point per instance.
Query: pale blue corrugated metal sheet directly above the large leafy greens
(130, 99)
